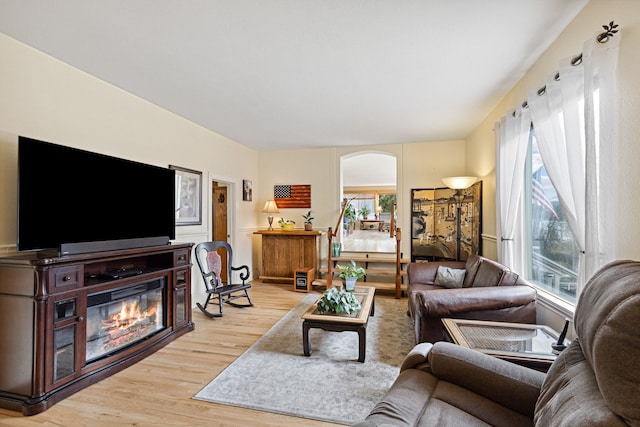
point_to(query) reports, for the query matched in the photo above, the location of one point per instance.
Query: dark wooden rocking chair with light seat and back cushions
(210, 264)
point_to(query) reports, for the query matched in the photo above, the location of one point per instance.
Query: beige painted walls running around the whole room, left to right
(46, 99)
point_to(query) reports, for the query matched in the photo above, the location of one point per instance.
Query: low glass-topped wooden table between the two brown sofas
(521, 343)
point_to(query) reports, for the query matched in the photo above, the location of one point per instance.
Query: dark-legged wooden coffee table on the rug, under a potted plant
(340, 323)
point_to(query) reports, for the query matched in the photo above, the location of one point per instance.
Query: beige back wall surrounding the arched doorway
(419, 165)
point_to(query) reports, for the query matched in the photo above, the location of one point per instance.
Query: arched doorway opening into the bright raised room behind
(369, 181)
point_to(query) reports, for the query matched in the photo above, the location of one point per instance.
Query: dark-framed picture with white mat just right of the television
(188, 196)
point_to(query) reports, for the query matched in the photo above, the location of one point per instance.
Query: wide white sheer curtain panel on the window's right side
(574, 122)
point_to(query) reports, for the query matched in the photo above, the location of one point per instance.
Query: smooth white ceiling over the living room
(288, 74)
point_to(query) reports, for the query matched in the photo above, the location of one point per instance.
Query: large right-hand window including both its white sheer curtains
(575, 121)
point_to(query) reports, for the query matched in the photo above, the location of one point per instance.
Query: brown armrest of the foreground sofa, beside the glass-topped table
(513, 386)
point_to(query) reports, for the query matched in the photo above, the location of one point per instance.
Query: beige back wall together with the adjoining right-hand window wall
(424, 164)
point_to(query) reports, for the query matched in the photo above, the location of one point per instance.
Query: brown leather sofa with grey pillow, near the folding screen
(488, 291)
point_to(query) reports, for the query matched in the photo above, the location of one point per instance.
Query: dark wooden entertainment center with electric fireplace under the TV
(44, 318)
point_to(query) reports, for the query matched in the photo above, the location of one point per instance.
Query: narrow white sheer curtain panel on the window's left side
(512, 137)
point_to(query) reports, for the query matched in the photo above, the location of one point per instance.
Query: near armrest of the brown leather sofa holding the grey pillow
(446, 302)
